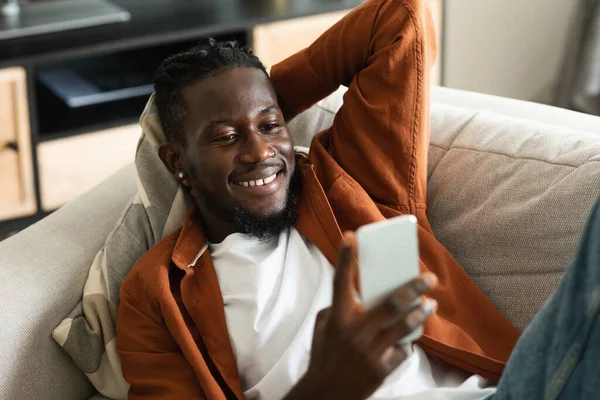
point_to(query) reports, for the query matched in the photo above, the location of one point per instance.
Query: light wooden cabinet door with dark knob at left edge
(17, 196)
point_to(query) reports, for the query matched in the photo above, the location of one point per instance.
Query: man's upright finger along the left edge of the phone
(343, 282)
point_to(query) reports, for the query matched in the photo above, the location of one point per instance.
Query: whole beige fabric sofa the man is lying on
(511, 184)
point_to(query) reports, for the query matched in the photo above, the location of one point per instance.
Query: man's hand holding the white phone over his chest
(354, 350)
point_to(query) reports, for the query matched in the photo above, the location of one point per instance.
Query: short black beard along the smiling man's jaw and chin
(260, 226)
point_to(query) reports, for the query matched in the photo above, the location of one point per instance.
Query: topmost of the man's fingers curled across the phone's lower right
(398, 303)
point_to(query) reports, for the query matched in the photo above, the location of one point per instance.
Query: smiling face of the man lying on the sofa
(238, 152)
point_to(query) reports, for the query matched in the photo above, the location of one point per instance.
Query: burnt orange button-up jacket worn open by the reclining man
(370, 165)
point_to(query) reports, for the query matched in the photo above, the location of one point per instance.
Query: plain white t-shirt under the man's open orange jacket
(273, 290)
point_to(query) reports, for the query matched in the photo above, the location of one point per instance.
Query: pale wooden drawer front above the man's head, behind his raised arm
(278, 40)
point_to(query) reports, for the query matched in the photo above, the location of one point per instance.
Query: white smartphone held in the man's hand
(388, 257)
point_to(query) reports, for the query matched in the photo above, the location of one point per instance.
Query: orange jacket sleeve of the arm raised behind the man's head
(382, 51)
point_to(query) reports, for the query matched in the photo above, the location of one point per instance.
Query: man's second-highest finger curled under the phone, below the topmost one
(405, 326)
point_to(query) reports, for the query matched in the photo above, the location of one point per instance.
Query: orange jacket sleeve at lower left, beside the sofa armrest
(151, 361)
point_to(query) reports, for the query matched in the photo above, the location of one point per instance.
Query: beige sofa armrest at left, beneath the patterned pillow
(43, 270)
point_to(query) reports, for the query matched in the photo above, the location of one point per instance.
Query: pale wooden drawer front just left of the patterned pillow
(69, 167)
